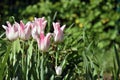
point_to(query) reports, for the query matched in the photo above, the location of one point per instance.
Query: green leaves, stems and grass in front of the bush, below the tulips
(79, 55)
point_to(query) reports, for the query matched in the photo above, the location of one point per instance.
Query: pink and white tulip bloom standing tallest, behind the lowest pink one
(38, 26)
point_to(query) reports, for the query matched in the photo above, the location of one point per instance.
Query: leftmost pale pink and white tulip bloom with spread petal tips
(11, 30)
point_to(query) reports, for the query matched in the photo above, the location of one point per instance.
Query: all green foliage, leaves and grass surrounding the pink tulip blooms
(87, 52)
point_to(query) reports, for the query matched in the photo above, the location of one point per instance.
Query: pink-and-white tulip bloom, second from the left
(24, 30)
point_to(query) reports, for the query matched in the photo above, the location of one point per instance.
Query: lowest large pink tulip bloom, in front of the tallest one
(44, 41)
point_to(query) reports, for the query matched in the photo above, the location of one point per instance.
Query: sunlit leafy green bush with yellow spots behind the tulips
(99, 17)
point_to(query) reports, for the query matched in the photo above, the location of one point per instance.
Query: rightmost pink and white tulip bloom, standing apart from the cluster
(58, 32)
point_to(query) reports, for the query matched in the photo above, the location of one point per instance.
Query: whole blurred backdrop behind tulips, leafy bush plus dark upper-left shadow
(101, 17)
